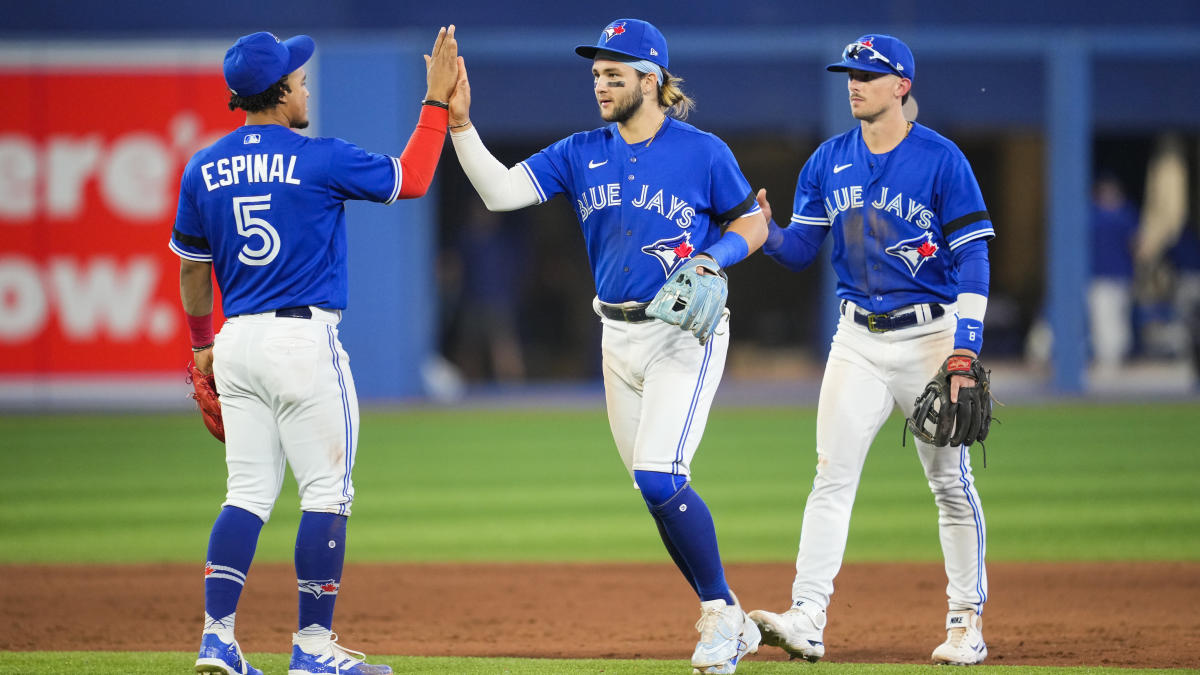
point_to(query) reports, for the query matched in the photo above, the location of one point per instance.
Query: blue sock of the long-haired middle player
(688, 533)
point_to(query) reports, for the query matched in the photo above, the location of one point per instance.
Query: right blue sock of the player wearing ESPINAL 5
(321, 552)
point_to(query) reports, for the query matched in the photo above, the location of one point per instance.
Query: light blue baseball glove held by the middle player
(692, 301)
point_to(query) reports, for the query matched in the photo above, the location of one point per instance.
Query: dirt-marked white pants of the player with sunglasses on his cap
(867, 375)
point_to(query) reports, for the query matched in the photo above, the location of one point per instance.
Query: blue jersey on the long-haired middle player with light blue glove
(646, 207)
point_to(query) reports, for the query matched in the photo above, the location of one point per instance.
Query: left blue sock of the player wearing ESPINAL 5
(231, 551)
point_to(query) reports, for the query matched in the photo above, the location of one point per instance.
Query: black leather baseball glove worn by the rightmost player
(939, 422)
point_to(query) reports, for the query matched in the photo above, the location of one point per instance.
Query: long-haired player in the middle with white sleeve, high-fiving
(651, 194)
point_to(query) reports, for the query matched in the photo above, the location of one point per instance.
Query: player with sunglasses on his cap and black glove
(910, 235)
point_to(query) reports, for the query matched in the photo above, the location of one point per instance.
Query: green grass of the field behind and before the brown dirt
(1064, 482)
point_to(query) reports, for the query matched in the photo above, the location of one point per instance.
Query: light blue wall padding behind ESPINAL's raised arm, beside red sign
(369, 93)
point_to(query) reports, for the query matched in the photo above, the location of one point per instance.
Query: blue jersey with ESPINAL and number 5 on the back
(266, 206)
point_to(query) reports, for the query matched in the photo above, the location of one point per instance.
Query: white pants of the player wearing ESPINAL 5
(287, 397)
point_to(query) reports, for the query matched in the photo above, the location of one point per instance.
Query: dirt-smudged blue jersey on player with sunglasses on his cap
(896, 218)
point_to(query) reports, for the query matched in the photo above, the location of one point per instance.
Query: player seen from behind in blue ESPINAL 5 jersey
(263, 208)
